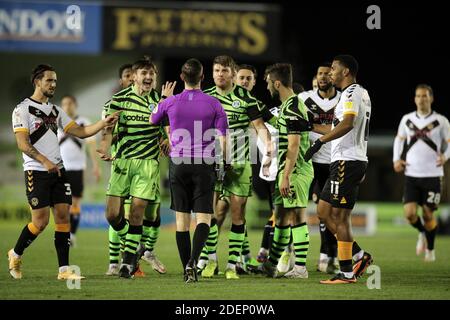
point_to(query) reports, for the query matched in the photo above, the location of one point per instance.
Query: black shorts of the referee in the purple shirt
(191, 186)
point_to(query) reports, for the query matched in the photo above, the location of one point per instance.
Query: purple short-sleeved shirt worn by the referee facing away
(191, 114)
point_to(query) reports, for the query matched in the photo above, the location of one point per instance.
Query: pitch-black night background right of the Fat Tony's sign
(410, 48)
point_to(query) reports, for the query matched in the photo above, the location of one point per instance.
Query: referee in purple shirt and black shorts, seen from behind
(195, 119)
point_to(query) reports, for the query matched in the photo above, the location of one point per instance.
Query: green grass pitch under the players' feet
(403, 274)
